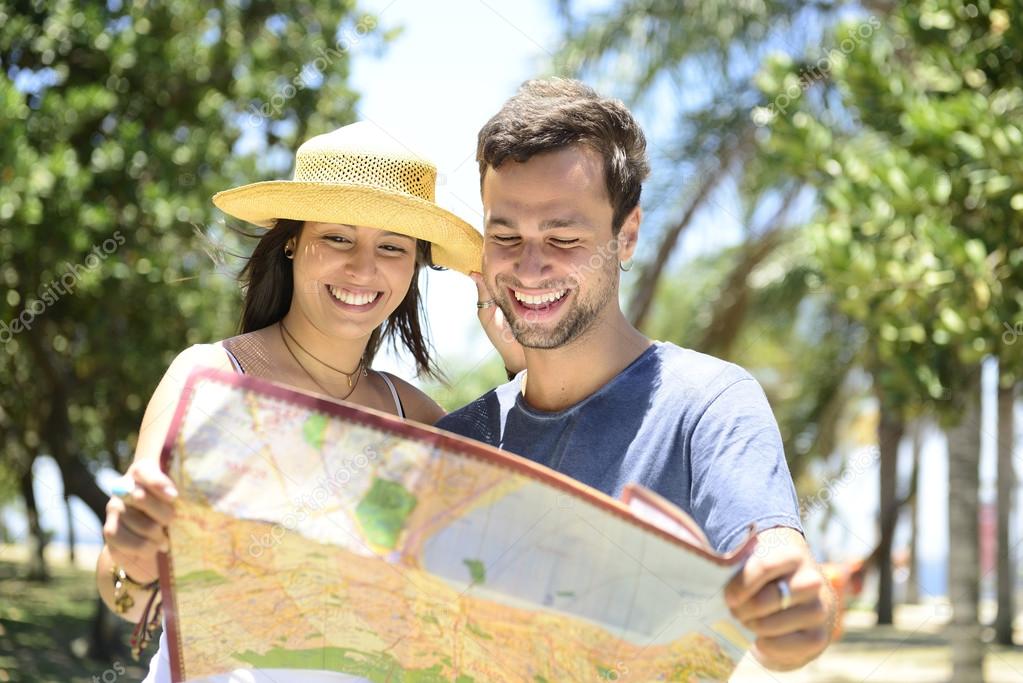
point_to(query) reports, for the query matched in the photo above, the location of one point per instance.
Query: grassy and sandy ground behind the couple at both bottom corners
(45, 630)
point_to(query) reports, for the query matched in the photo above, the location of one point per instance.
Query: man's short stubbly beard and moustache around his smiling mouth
(573, 325)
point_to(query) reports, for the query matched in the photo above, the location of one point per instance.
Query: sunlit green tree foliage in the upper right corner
(916, 152)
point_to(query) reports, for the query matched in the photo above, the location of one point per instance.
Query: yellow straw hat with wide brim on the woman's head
(359, 175)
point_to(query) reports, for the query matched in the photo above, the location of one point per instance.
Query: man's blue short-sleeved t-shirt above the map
(695, 429)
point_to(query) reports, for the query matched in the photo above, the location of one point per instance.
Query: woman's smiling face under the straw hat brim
(349, 280)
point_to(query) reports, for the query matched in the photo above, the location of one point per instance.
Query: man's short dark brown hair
(553, 114)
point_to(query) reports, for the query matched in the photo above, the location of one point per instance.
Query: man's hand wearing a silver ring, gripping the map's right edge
(787, 639)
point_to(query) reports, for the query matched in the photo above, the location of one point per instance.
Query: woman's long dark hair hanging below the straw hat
(269, 284)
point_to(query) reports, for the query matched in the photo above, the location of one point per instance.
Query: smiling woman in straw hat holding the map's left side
(335, 278)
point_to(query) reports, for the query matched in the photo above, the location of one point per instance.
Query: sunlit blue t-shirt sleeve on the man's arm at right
(740, 476)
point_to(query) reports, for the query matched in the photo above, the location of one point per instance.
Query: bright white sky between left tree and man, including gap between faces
(433, 89)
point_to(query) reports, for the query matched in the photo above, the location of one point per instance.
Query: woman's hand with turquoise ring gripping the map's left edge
(137, 523)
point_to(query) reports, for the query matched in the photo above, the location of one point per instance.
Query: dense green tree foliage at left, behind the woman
(120, 121)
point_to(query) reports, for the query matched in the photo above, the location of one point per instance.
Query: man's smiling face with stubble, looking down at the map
(551, 258)
